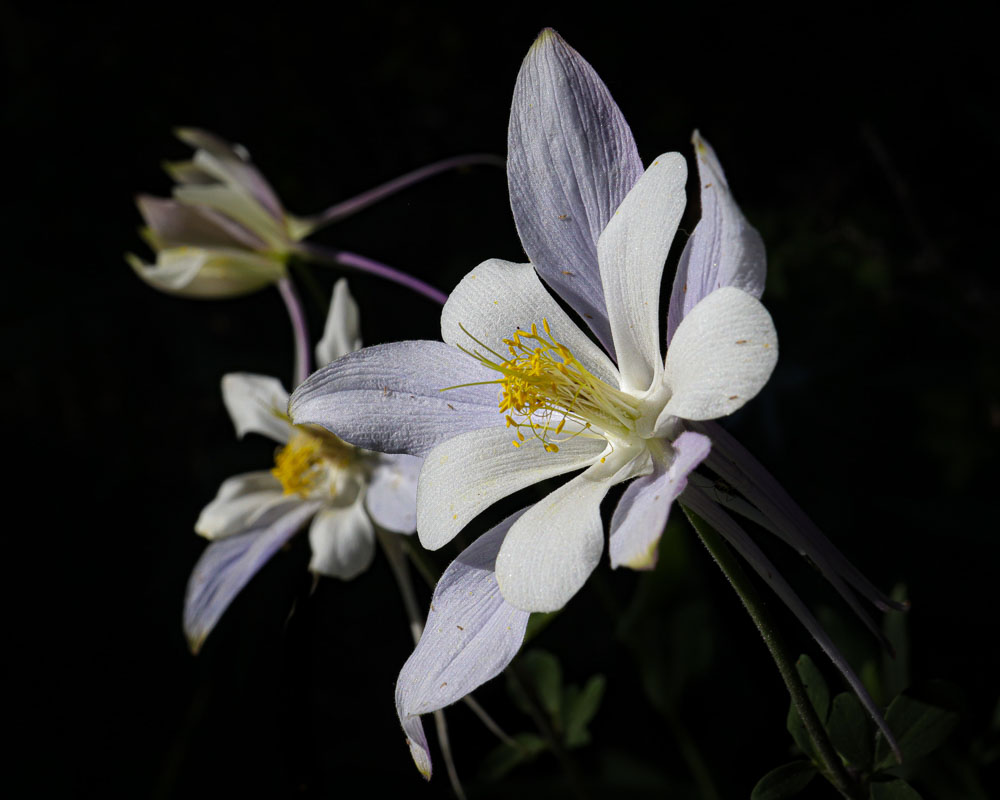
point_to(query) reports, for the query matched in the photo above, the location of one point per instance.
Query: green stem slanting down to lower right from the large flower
(832, 767)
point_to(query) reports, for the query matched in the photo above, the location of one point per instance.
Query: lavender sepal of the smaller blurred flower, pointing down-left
(228, 564)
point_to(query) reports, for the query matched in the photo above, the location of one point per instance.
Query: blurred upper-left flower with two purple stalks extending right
(225, 232)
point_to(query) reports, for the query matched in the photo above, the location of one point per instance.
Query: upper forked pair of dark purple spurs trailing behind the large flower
(738, 467)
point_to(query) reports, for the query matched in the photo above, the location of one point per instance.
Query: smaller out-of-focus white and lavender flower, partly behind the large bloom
(344, 490)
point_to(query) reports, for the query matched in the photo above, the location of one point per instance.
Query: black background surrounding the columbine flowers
(863, 144)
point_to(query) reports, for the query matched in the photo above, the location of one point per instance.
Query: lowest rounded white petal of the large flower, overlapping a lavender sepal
(550, 551)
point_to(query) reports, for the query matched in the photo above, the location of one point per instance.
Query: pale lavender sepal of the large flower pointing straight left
(389, 397)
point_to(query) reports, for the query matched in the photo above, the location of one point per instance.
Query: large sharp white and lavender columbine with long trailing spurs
(597, 229)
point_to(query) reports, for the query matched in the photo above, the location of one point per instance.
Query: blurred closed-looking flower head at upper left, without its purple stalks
(224, 232)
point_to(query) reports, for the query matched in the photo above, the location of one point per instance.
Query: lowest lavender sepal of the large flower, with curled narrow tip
(471, 635)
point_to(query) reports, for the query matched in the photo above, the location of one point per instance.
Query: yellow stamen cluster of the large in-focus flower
(544, 387)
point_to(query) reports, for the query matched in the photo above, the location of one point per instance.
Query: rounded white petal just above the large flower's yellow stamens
(499, 297)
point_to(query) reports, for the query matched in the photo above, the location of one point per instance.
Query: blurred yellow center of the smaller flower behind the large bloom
(311, 462)
